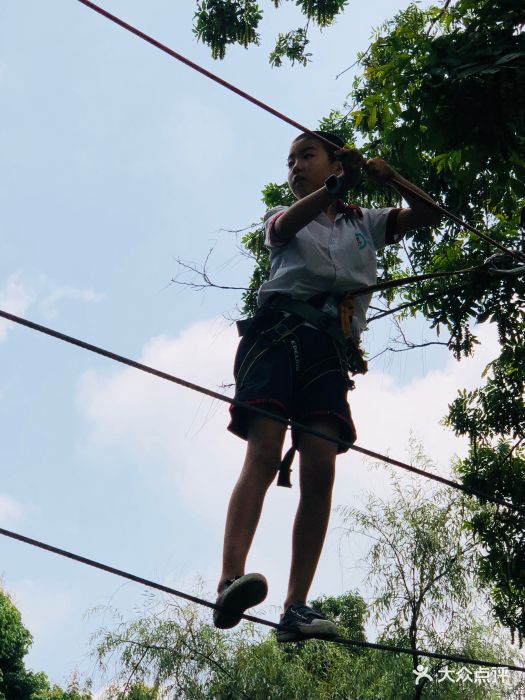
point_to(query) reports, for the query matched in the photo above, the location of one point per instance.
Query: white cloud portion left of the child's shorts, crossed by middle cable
(156, 421)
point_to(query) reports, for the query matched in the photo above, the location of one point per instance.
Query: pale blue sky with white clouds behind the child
(116, 161)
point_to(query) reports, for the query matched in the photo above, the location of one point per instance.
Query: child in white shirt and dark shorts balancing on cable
(292, 361)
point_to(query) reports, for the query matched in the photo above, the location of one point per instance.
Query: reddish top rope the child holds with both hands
(174, 54)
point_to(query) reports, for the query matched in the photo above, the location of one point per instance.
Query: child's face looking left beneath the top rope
(308, 166)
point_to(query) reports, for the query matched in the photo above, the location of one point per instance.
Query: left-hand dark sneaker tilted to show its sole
(237, 595)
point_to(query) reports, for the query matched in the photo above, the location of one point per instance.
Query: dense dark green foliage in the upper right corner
(427, 81)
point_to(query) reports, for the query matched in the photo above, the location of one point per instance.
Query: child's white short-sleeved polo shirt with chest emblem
(325, 256)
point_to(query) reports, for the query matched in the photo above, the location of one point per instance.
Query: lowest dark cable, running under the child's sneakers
(251, 618)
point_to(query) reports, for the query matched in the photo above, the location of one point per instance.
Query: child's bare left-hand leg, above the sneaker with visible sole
(263, 455)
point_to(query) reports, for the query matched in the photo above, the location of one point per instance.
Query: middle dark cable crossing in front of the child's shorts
(256, 410)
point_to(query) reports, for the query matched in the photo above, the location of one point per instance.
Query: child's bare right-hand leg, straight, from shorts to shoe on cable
(317, 470)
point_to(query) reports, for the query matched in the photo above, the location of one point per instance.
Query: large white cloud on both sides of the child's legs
(183, 435)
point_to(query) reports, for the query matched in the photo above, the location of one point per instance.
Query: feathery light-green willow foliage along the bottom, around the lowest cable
(419, 568)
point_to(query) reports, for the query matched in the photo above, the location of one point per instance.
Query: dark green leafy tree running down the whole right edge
(443, 92)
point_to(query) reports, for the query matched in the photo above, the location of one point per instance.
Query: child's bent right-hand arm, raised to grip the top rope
(418, 214)
